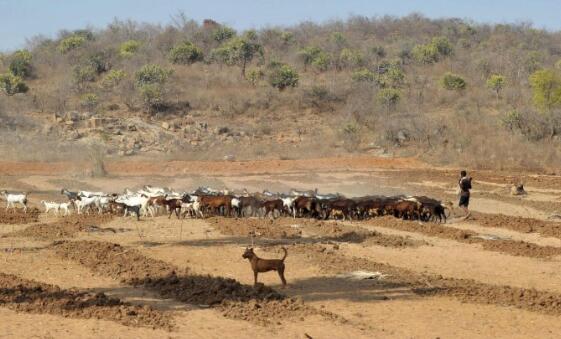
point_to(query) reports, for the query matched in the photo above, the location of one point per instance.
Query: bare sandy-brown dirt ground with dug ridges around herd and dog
(494, 275)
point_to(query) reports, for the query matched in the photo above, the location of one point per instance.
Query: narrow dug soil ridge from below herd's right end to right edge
(510, 247)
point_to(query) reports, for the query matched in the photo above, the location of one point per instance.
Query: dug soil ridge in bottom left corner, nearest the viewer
(29, 296)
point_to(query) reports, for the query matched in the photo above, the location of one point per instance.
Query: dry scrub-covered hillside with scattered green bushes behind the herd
(448, 91)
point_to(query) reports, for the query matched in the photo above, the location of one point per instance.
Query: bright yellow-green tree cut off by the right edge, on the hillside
(546, 89)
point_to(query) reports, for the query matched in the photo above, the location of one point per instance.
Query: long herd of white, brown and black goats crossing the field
(151, 201)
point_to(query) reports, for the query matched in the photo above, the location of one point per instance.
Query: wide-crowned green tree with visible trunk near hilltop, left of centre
(238, 51)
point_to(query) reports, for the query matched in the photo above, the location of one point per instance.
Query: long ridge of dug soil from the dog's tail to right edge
(327, 258)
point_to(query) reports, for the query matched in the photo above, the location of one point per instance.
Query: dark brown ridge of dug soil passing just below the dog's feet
(258, 304)
